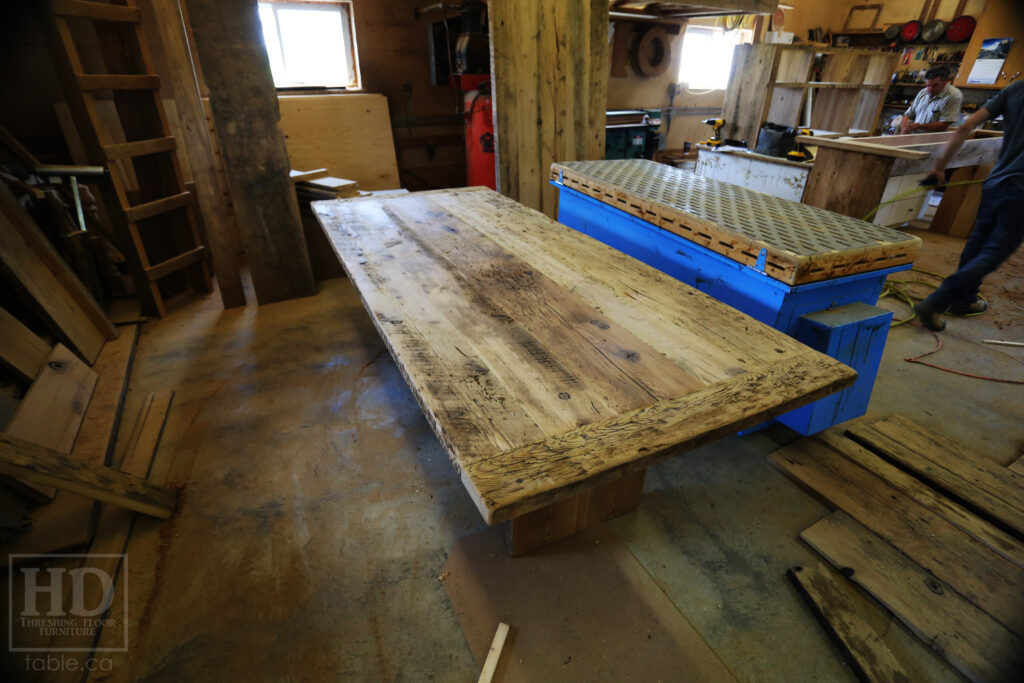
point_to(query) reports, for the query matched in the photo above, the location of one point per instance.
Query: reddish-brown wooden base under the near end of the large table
(575, 515)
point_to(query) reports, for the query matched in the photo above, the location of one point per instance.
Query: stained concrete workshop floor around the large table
(318, 508)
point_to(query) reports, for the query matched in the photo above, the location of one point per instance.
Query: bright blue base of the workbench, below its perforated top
(749, 289)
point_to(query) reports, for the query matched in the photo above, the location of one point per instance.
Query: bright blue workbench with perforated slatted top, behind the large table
(809, 273)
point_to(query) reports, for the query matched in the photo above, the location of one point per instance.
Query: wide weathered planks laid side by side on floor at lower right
(934, 532)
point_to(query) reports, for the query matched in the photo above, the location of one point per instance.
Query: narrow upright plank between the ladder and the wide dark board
(167, 30)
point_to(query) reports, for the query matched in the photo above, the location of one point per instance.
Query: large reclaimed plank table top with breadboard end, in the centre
(546, 362)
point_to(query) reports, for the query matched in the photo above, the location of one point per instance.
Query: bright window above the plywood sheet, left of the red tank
(310, 44)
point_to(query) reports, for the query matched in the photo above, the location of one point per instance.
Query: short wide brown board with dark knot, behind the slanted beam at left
(52, 411)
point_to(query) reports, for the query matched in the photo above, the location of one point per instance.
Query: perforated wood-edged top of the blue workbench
(803, 244)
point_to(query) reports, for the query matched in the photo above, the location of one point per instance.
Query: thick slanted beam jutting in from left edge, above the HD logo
(47, 466)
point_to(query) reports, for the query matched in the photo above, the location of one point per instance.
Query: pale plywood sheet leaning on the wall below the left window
(350, 136)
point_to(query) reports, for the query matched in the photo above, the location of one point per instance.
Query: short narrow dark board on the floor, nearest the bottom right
(862, 648)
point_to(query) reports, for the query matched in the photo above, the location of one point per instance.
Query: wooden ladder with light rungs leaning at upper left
(155, 210)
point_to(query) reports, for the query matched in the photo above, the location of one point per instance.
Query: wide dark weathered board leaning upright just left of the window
(230, 41)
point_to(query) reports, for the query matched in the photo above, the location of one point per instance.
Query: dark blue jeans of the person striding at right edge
(998, 233)
